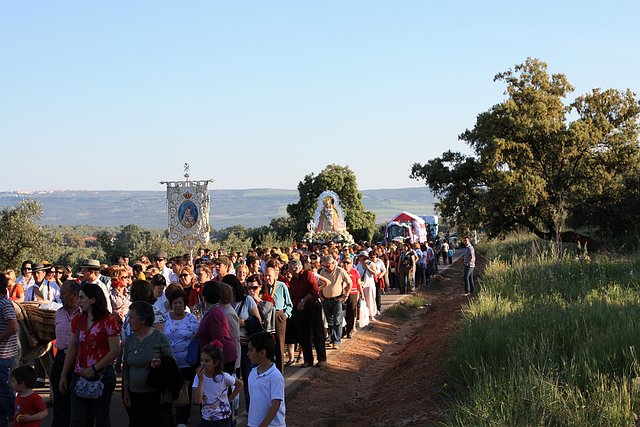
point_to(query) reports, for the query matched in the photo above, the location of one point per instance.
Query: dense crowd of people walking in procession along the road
(199, 330)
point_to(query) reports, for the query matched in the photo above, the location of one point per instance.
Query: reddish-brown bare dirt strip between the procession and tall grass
(392, 375)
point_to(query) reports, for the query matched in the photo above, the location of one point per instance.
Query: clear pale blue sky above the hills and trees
(257, 94)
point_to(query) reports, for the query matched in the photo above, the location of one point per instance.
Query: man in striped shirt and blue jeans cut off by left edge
(8, 353)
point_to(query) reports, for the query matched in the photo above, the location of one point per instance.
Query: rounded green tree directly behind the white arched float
(341, 180)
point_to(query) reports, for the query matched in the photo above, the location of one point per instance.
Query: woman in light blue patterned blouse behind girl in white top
(181, 327)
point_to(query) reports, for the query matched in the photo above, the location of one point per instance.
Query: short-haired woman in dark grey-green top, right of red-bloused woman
(143, 351)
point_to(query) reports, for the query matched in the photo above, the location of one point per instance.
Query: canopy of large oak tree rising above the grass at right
(540, 162)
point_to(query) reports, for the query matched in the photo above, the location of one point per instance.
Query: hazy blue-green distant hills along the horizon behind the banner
(250, 208)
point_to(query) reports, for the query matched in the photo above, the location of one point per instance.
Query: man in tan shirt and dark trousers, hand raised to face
(333, 295)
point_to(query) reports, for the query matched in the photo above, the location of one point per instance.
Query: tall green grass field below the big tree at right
(549, 340)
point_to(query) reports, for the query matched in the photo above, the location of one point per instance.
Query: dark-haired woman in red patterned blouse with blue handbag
(93, 346)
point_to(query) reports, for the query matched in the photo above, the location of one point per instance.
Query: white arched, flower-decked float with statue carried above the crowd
(328, 224)
